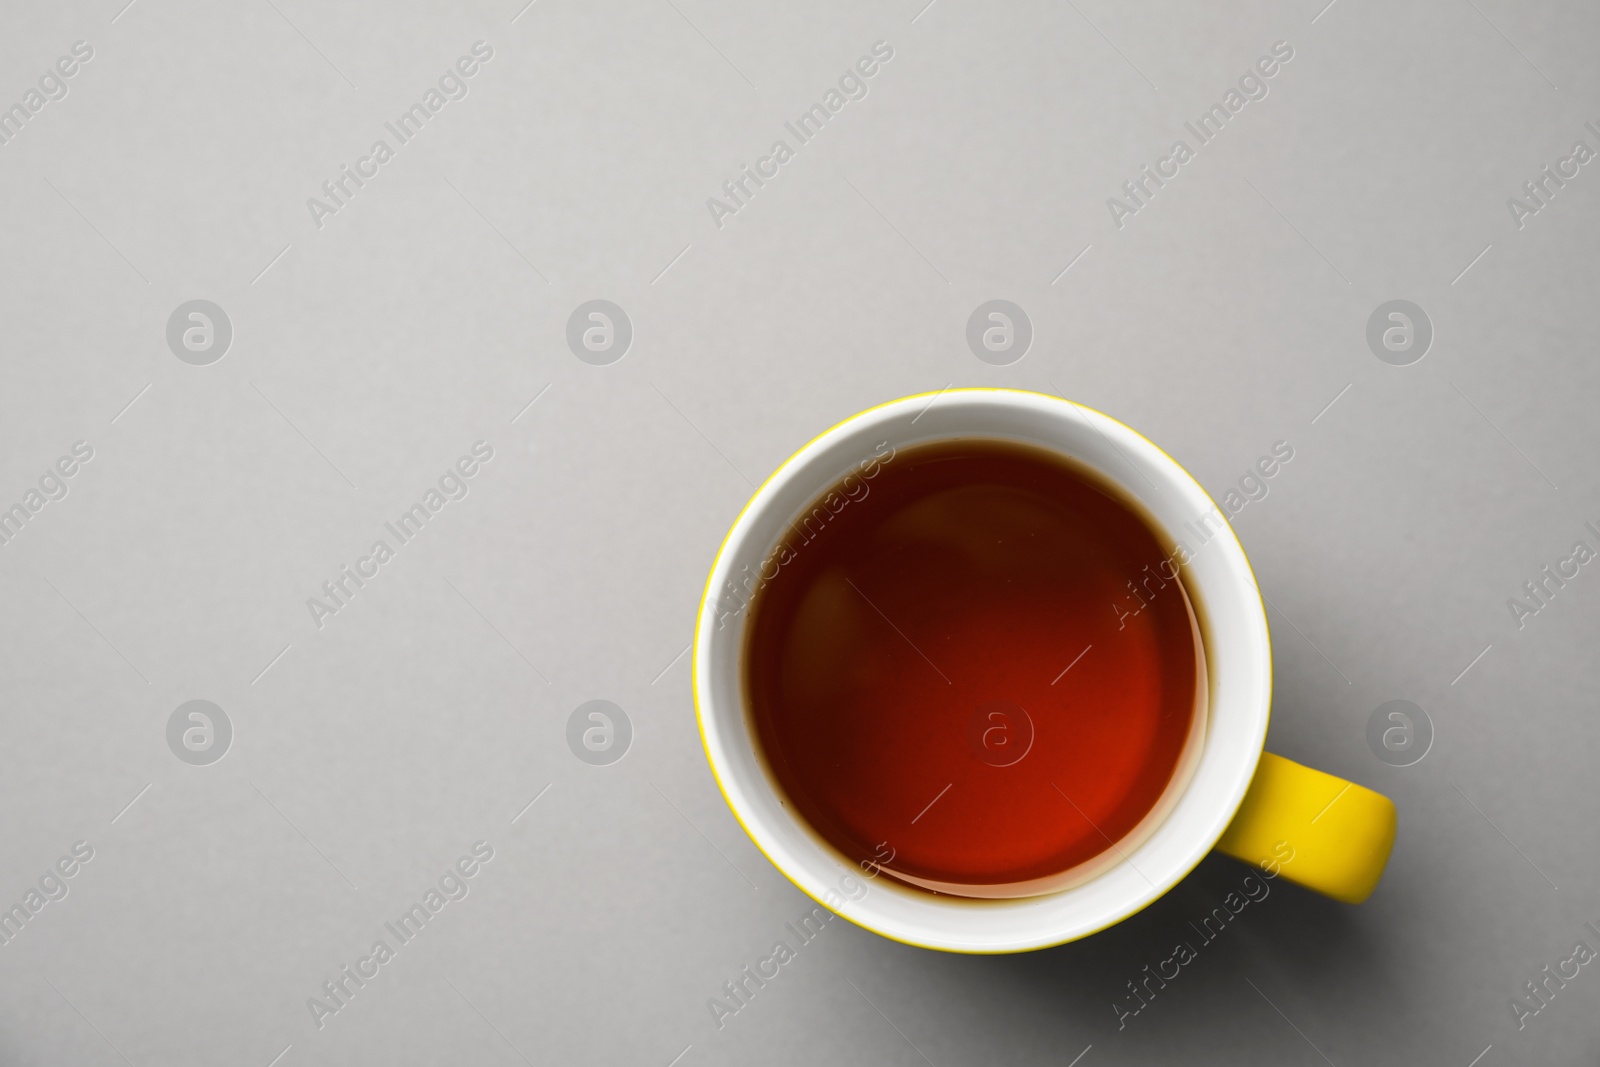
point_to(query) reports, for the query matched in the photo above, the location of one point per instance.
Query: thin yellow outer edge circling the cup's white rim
(700, 713)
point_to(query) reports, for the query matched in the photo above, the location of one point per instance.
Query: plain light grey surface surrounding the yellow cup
(431, 311)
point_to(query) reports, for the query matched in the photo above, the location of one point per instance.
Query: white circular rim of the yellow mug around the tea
(1223, 807)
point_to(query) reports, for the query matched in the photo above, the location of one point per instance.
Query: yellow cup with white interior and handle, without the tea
(1311, 828)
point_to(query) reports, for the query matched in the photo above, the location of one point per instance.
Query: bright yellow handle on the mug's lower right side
(1316, 829)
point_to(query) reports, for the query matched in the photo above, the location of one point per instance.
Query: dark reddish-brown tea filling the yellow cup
(975, 673)
